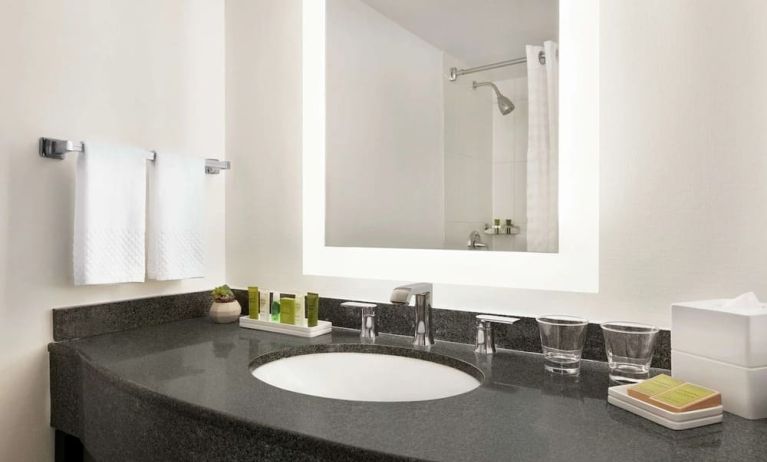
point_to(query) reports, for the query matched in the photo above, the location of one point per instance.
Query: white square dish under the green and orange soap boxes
(618, 396)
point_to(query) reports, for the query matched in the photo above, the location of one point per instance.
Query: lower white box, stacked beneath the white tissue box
(744, 390)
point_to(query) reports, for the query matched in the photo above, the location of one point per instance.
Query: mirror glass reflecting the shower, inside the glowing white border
(442, 124)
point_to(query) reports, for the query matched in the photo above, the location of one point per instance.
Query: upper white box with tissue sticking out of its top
(737, 336)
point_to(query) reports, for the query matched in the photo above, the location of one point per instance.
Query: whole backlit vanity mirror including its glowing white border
(452, 141)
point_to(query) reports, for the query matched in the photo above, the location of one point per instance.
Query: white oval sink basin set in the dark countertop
(365, 377)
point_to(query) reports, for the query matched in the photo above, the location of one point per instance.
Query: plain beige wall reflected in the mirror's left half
(384, 132)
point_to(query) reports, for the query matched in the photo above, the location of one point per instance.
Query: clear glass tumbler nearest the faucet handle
(562, 339)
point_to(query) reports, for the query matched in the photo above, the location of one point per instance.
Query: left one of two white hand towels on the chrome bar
(110, 211)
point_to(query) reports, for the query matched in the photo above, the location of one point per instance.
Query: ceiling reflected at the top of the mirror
(476, 32)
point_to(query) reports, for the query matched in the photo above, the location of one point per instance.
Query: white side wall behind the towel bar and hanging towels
(134, 71)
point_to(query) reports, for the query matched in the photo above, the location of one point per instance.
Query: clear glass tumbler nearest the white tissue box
(629, 348)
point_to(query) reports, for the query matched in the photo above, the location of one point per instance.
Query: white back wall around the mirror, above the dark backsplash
(683, 167)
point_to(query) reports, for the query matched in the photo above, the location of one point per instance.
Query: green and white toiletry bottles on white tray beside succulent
(292, 314)
